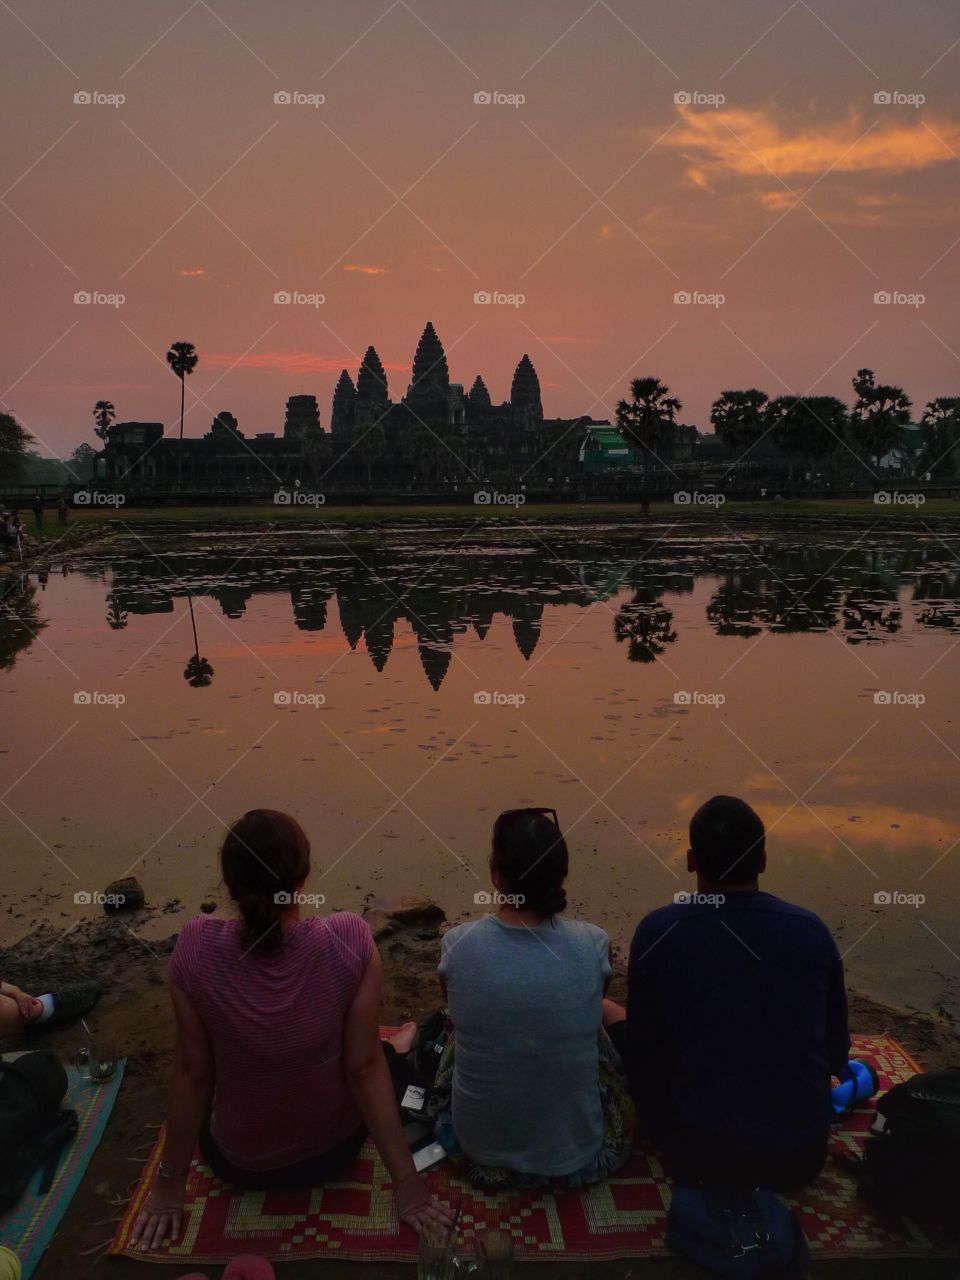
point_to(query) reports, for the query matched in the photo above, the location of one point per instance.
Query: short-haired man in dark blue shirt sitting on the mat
(737, 1018)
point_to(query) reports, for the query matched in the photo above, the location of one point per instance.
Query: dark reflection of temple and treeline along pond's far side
(861, 595)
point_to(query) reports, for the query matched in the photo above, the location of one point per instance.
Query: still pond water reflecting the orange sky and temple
(397, 698)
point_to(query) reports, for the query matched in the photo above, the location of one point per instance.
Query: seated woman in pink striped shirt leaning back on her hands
(280, 1073)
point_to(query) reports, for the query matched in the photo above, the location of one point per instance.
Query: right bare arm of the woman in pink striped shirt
(371, 1084)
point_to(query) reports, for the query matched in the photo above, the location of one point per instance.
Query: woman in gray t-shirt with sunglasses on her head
(536, 1090)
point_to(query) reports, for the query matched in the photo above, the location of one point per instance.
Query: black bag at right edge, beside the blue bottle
(913, 1168)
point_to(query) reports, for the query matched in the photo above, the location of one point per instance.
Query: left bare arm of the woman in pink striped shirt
(191, 1087)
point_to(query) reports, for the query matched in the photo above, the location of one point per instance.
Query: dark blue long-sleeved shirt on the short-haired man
(737, 1020)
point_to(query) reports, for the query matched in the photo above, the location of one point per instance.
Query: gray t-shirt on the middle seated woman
(527, 1005)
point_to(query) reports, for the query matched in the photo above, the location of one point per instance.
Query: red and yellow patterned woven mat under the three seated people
(625, 1217)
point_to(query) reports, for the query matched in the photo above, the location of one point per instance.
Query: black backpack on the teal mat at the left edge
(33, 1127)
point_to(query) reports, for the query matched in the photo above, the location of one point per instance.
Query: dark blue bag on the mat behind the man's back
(739, 1235)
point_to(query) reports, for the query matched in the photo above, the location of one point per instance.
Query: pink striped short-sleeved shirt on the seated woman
(276, 1025)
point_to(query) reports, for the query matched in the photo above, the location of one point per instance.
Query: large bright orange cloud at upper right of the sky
(749, 144)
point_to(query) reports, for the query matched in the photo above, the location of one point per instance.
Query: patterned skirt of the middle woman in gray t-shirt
(619, 1123)
